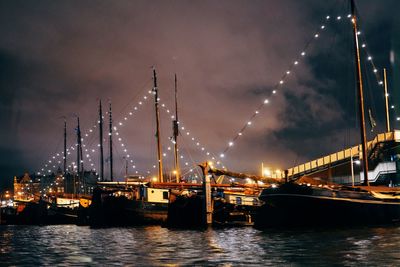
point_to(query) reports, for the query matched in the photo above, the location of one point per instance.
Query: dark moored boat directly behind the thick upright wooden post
(232, 205)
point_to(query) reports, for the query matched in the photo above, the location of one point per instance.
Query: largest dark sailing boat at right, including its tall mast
(294, 203)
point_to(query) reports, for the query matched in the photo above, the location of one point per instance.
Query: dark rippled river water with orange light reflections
(66, 245)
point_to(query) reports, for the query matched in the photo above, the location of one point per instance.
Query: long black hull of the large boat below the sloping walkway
(302, 205)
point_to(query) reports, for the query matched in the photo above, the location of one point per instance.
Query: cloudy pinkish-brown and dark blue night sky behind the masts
(58, 58)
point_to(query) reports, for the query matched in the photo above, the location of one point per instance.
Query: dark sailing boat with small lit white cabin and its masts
(131, 202)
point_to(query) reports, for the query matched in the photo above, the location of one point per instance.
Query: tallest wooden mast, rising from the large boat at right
(360, 94)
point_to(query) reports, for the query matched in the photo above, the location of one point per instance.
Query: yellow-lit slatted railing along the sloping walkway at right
(343, 154)
